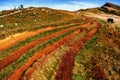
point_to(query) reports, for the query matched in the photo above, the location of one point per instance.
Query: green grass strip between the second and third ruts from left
(7, 71)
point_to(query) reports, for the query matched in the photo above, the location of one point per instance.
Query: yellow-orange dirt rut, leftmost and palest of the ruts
(5, 45)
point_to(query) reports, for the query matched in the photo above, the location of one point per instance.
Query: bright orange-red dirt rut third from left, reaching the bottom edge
(49, 49)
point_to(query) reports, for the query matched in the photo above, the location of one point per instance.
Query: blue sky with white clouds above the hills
(70, 5)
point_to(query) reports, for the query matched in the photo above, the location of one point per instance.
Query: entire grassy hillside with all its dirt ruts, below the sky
(39, 43)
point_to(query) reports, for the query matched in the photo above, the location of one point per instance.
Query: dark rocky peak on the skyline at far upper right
(109, 7)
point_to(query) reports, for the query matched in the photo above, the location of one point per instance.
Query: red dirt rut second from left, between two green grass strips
(18, 53)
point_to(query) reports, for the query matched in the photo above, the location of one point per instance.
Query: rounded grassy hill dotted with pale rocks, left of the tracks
(27, 19)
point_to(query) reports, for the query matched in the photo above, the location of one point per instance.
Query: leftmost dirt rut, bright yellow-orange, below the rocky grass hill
(18, 37)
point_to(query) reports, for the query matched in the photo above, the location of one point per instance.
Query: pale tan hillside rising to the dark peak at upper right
(103, 13)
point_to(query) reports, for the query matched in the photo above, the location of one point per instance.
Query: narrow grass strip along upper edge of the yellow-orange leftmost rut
(7, 32)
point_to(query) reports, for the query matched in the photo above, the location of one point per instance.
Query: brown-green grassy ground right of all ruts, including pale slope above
(99, 58)
